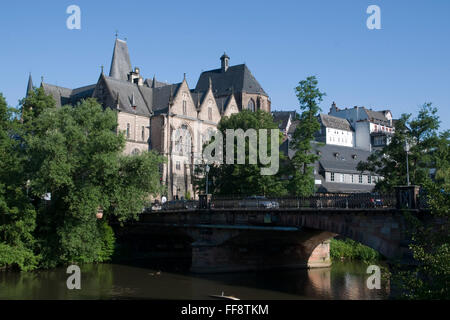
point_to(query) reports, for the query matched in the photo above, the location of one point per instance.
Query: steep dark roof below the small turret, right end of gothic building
(237, 78)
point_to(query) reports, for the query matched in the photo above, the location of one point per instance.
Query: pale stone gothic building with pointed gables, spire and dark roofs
(169, 118)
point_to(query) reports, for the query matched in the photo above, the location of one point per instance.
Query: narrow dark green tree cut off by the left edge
(17, 215)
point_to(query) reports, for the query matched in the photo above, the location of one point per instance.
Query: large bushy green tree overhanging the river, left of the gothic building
(76, 156)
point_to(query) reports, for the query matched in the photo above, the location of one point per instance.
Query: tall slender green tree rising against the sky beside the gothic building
(309, 97)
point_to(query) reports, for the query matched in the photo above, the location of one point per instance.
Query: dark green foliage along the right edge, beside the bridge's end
(429, 151)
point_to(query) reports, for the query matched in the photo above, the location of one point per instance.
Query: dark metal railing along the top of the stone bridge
(341, 201)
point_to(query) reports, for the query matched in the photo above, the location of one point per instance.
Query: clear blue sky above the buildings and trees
(399, 67)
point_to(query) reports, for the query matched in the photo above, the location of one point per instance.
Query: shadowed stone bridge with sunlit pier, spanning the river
(235, 239)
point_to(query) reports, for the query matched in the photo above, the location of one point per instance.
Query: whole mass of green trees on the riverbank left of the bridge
(75, 154)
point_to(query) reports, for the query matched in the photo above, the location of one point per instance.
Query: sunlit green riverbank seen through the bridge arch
(349, 250)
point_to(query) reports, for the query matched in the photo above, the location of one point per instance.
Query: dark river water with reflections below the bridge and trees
(344, 280)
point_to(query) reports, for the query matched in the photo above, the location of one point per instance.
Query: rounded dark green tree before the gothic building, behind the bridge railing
(243, 179)
